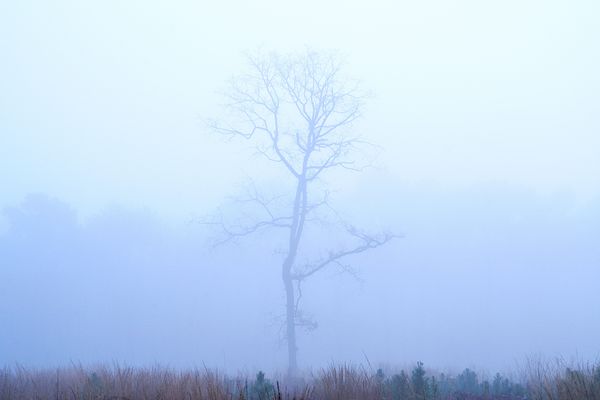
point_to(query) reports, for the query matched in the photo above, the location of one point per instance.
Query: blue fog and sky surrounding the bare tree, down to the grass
(485, 121)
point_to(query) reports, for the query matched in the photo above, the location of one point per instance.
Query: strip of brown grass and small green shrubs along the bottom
(538, 382)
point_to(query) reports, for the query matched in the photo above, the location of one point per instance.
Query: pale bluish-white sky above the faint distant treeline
(103, 101)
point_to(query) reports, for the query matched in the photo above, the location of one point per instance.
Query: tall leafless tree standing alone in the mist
(298, 111)
